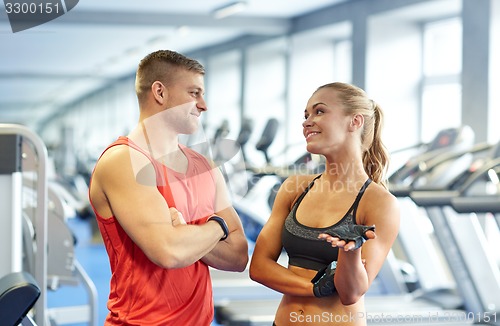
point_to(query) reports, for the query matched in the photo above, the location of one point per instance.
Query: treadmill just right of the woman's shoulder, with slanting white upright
(447, 156)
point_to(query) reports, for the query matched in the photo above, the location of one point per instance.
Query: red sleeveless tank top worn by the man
(141, 292)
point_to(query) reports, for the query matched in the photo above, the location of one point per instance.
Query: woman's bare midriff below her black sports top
(295, 310)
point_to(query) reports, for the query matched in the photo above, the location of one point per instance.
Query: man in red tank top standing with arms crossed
(162, 209)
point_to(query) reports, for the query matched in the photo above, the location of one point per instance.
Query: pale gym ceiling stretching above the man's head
(44, 67)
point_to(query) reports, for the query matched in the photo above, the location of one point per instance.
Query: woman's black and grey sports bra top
(301, 242)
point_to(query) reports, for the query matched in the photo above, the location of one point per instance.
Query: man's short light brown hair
(161, 66)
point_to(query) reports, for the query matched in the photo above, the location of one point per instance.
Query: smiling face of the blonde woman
(326, 124)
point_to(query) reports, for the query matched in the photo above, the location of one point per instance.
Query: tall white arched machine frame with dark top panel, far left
(11, 138)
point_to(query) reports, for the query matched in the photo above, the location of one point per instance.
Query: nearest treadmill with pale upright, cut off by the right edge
(473, 267)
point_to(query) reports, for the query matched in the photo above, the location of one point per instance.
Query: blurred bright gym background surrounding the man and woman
(67, 91)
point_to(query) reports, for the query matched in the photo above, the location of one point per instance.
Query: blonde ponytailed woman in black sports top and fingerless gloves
(318, 219)
